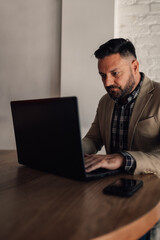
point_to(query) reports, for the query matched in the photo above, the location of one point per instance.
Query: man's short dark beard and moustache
(122, 92)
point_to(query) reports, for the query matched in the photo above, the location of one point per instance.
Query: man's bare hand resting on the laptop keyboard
(110, 161)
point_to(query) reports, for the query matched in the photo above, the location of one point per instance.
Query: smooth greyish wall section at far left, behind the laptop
(29, 56)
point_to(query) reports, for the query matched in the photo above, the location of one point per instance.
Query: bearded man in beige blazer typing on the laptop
(127, 121)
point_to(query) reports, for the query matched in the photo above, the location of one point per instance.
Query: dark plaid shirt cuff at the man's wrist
(130, 163)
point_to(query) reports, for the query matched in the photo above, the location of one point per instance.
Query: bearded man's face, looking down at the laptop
(118, 75)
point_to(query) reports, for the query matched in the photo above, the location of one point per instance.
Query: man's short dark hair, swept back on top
(118, 45)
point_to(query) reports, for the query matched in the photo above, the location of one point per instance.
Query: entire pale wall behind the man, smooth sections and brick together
(30, 49)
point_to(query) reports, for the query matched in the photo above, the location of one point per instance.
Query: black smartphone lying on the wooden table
(123, 187)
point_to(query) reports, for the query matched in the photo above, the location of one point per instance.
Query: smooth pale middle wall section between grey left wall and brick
(86, 24)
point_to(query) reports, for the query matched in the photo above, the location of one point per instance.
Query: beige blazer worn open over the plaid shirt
(143, 132)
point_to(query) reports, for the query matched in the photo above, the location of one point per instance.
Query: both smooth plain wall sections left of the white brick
(30, 51)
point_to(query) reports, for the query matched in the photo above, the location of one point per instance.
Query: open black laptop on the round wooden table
(47, 133)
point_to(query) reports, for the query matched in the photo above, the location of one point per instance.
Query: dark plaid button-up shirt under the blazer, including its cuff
(120, 123)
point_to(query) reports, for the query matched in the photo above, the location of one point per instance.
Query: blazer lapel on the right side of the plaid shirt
(140, 104)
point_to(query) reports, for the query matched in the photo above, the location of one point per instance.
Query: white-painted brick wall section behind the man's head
(139, 21)
